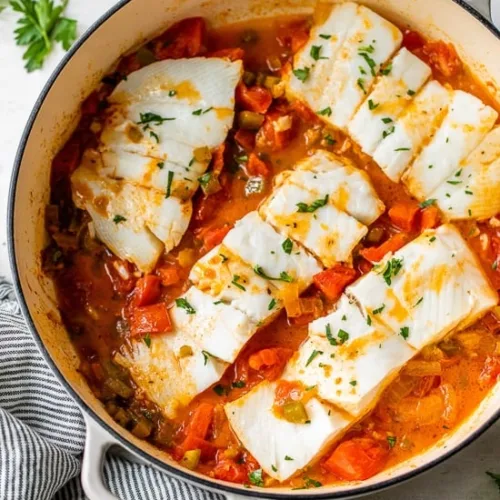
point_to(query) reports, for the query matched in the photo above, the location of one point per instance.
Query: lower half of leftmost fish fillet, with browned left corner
(136, 223)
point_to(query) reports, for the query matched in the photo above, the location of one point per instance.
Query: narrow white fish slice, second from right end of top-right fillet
(466, 124)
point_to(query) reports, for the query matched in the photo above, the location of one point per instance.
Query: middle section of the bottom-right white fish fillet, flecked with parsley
(351, 373)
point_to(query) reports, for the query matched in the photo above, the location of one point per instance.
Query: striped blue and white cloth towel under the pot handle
(42, 432)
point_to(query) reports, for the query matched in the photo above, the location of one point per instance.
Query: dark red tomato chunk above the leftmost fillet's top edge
(184, 39)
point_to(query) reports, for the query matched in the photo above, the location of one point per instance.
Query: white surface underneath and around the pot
(460, 478)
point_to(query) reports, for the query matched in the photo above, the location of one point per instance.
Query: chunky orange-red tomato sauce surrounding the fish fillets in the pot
(96, 291)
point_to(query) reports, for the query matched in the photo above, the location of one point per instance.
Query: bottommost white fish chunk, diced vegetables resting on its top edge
(281, 447)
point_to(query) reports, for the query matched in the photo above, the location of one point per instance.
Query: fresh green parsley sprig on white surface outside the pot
(41, 25)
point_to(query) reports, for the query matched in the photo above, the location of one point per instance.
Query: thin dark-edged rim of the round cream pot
(179, 473)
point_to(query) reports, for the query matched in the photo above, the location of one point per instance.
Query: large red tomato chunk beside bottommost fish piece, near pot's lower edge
(357, 459)
